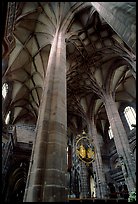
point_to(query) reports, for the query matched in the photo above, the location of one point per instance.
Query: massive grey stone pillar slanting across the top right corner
(121, 16)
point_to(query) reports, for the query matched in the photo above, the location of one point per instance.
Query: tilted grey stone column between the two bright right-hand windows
(121, 141)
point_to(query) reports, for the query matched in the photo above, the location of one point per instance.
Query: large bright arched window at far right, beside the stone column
(130, 115)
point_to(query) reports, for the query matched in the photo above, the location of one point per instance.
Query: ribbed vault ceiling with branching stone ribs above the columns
(97, 60)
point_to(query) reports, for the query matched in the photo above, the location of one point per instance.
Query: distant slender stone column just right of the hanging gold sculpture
(101, 187)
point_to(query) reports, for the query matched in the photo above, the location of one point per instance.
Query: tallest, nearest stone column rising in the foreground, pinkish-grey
(47, 175)
